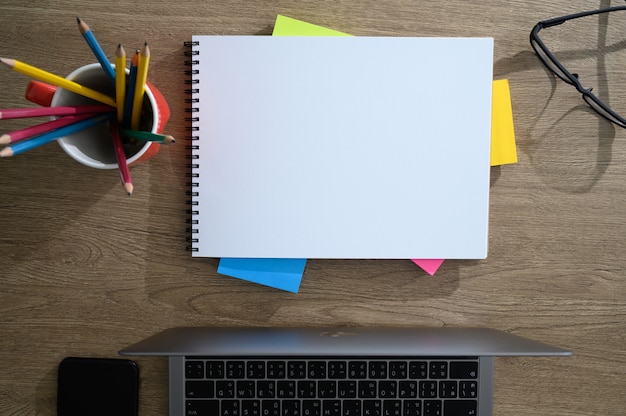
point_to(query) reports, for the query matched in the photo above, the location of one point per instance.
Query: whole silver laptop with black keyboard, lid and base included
(334, 372)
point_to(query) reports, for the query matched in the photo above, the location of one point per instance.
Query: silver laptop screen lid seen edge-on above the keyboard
(339, 341)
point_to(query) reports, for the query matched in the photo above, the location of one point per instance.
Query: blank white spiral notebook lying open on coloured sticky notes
(340, 147)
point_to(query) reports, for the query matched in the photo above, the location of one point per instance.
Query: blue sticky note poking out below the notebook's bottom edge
(284, 274)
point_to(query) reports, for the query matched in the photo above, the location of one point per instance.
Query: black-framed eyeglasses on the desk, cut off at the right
(550, 61)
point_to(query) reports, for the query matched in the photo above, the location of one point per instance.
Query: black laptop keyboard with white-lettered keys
(435, 386)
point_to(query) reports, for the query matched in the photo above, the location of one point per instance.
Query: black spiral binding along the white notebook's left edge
(192, 138)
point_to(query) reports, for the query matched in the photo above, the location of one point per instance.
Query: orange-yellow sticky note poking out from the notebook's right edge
(503, 149)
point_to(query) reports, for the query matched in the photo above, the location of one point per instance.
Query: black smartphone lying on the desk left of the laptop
(97, 387)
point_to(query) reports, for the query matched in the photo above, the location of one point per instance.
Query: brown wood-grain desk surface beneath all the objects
(86, 270)
